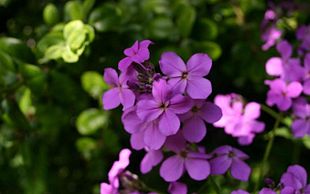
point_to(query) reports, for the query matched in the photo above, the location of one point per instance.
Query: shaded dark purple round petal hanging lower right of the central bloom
(194, 129)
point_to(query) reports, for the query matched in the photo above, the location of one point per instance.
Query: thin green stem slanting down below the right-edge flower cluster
(268, 150)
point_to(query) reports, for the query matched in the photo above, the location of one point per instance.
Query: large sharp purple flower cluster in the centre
(167, 111)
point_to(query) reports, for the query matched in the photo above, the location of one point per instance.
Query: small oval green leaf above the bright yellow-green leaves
(74, 10)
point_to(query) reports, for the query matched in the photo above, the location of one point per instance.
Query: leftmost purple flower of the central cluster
(119, 93)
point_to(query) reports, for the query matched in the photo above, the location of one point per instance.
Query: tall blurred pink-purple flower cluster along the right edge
(291, 84)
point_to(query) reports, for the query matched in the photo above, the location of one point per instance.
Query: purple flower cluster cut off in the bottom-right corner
(293, 181)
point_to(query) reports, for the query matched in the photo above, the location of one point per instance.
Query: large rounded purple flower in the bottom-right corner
(294, 181)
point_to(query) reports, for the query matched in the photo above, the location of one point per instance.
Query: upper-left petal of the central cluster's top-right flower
(171, 64)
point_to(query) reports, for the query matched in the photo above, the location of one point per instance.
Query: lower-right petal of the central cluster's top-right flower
(198, 87)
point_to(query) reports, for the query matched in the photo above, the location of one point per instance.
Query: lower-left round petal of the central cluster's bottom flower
(172, 168)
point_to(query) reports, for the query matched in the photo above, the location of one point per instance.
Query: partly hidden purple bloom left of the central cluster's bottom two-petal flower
(151, 159)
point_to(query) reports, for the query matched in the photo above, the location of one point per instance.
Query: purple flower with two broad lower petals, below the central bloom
(195, 163)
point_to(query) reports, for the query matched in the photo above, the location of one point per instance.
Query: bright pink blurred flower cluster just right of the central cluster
(239, 118)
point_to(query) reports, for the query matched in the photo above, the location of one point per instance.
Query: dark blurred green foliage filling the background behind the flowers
(54, 136)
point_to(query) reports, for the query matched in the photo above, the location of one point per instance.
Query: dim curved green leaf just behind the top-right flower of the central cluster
(211, 48)
